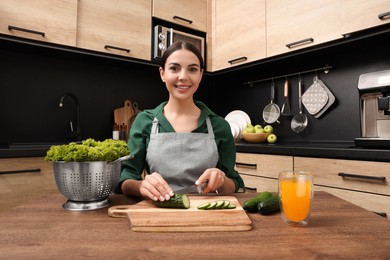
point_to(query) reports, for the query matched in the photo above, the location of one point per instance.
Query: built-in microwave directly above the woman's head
(163, 37)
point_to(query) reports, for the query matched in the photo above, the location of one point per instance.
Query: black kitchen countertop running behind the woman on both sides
(335, 150)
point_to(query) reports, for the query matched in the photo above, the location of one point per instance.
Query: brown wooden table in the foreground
(42, 229)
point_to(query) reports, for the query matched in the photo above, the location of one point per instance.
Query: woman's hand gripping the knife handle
(217, 181)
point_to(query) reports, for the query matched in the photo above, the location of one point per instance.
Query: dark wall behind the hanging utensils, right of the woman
(341, 123)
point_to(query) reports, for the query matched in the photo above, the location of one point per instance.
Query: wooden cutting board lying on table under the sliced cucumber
(146, 217)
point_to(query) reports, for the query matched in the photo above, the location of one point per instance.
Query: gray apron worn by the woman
(181, 158)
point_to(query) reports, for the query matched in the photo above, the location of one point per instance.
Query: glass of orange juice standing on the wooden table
(296, 194)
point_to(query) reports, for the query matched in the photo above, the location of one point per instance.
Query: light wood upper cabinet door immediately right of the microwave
(239, 32)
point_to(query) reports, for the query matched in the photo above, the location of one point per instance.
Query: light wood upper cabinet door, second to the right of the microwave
(293, 25)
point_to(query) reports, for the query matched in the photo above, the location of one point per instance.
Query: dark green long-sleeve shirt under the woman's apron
(140, 135)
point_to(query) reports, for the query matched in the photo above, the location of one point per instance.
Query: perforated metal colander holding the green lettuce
(87, 185)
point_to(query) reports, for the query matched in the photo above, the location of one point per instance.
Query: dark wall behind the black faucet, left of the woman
(33, 79)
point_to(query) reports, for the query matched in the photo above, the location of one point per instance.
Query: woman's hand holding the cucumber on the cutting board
(155, 187)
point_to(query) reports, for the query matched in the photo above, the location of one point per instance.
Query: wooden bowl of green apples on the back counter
(259, 134)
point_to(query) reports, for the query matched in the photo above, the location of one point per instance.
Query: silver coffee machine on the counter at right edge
(374, 92)
